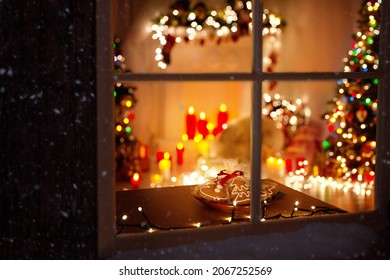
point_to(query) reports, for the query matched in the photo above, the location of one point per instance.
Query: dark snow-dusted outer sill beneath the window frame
(344, 236)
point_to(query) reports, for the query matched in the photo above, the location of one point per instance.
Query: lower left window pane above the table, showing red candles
(156, 117)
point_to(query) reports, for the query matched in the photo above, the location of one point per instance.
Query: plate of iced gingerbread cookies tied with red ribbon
(230, 190)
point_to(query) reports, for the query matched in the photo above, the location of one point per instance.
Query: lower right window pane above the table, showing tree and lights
(330, 139)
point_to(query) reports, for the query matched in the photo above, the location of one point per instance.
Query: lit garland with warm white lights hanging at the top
(199, 22)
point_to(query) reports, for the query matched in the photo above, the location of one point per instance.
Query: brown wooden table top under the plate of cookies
(176, 207)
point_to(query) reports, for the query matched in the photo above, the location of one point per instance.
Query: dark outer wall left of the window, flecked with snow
(48, 130)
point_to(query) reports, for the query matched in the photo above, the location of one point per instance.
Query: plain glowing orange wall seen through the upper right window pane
(317, 35)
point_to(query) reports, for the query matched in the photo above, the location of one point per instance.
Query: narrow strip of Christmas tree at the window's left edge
(127, 145)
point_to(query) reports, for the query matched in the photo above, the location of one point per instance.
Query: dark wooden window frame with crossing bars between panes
(109, 242)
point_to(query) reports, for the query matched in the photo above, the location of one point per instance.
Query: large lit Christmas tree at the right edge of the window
(351, 145)
